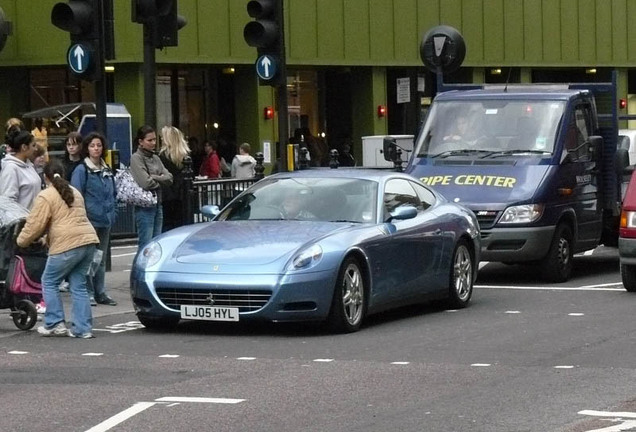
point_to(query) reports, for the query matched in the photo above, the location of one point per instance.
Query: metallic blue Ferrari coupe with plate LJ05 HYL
(315, 245)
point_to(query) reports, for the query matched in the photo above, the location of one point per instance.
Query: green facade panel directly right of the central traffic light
(302, 30)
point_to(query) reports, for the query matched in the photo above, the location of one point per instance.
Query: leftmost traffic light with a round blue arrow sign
(82, 19)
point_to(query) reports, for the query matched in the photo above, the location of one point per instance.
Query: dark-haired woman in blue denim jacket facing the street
(95, 181)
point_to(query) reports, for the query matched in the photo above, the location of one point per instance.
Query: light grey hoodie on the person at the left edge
(19, 181)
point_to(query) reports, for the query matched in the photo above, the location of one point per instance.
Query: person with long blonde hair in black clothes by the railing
(174, 150)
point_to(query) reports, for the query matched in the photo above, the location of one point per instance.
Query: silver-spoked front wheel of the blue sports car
(349, 304)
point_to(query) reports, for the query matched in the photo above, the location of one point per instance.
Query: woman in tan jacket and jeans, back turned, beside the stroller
(59, 213)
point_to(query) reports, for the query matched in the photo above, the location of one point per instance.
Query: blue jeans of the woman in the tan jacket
(72, 264)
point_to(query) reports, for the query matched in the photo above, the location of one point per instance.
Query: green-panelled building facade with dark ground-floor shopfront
(344, 59)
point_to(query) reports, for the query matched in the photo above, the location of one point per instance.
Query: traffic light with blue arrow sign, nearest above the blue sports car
(266, 34)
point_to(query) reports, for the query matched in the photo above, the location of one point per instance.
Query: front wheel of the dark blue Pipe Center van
(557, 264)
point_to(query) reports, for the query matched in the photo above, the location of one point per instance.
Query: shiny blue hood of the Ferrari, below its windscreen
(249, 243)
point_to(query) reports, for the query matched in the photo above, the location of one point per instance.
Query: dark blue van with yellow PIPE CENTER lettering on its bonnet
(535, 164)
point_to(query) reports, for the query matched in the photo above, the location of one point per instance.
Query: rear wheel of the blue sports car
(462, 275)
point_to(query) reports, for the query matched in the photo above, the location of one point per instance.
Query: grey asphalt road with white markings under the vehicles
(525, 356)
